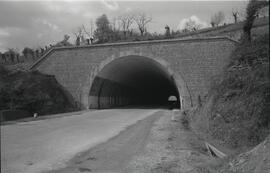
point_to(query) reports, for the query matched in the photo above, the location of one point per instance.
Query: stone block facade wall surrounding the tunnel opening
(193, 63)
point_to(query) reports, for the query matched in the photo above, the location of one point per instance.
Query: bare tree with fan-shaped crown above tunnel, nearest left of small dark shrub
(141, 19)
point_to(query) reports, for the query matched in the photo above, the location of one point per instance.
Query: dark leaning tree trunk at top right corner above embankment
(252, 10)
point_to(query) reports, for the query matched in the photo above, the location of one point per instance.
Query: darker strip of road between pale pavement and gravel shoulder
(114, 155)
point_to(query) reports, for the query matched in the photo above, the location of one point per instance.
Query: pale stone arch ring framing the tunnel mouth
(182, 88)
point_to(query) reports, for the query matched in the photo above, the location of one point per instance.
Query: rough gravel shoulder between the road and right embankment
(171, 147)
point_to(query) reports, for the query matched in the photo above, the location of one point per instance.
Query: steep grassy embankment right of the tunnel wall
(236, 111)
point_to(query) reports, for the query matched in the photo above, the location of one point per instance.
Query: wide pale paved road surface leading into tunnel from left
(38, 146)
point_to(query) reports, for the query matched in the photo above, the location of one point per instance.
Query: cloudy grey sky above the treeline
(39, 23)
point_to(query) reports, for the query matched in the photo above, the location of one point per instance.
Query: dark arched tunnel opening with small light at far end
(133, 81)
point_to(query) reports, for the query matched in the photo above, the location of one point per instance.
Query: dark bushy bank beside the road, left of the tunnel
(32, 91)
